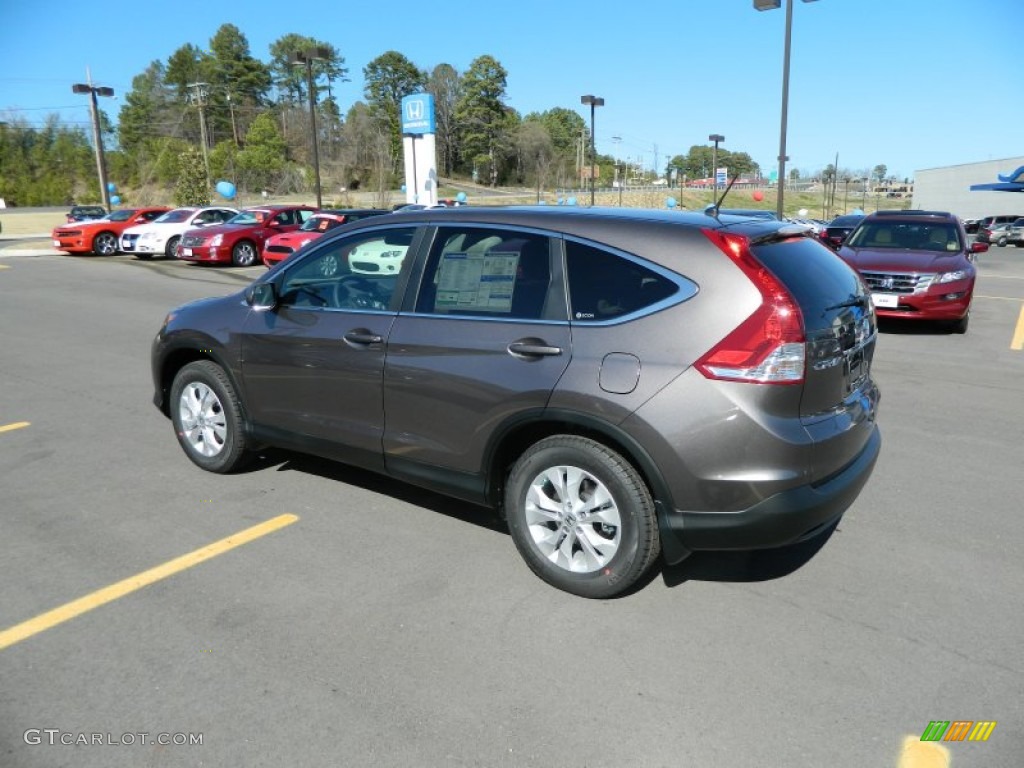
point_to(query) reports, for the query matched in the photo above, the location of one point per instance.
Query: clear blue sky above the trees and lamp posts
(912, 84)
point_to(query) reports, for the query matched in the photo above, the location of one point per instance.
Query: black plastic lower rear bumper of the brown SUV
(785, 519)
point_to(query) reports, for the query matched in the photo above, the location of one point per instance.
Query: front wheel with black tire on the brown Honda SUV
(207, 418)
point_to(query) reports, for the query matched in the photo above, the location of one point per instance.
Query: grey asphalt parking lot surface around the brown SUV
(306, 614)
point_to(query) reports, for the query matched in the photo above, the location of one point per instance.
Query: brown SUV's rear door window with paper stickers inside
(490, 273)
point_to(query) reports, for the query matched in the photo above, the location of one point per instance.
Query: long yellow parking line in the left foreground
(83, 605)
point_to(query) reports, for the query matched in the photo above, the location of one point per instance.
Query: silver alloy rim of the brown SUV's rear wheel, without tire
(574, 520)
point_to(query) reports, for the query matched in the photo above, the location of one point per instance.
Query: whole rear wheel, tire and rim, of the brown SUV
(581, 517)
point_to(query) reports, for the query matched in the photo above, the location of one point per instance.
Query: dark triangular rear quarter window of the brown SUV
(605, 286)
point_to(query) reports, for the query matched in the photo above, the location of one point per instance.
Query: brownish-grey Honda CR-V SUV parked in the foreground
(619, 385)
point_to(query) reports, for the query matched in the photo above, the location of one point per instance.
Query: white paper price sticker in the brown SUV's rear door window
(477, 282)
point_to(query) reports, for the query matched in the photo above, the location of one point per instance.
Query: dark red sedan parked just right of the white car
(240, 240)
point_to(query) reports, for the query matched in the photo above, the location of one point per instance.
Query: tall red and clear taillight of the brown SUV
(769, 348)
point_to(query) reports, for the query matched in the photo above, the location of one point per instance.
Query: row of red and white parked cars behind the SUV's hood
(205, 235)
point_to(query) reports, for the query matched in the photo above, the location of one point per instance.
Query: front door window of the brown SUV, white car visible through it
(357, 273)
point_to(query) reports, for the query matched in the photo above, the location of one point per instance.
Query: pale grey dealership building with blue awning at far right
(950, 189)
